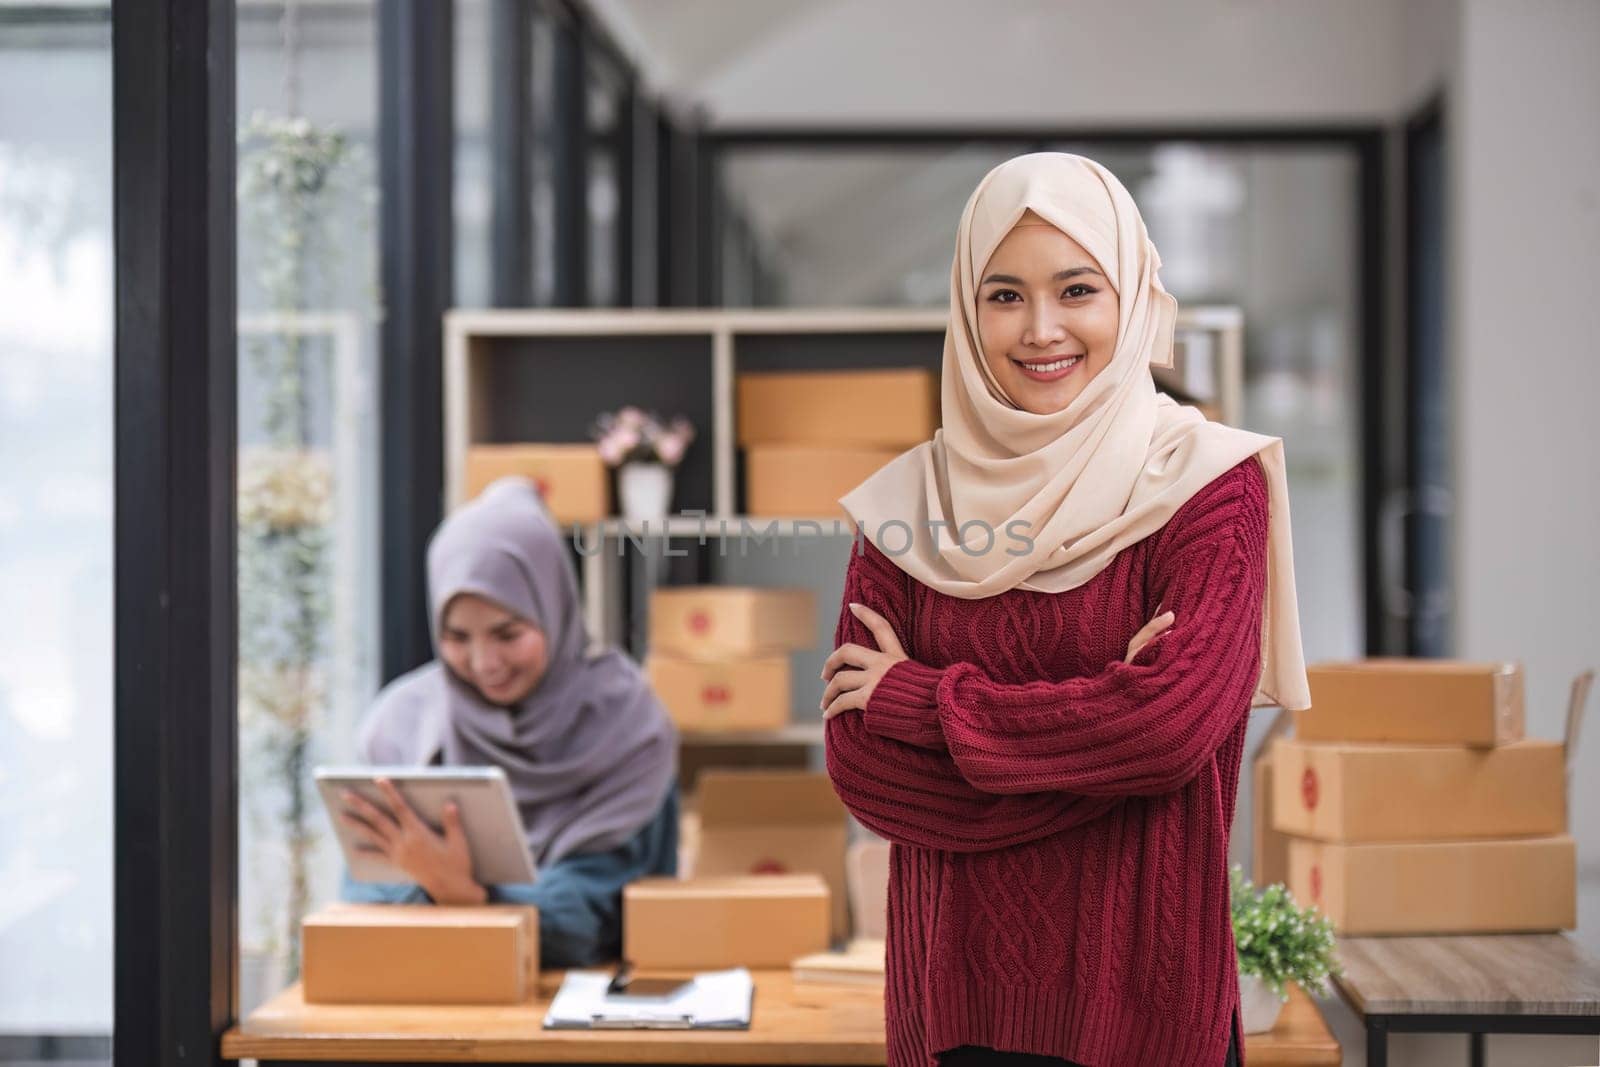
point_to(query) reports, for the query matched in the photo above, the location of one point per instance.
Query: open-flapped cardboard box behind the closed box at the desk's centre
(754, 823)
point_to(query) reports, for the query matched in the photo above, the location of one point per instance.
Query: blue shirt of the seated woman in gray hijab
(580, 898)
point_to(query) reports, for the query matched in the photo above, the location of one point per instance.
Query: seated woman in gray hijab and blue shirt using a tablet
(590, 751)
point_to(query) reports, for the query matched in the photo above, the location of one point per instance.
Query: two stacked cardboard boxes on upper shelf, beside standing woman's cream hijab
(810, 438)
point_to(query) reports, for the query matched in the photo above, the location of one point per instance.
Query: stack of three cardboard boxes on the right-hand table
(1414, 804)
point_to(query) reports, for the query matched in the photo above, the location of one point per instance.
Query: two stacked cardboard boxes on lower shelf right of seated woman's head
(719, 655)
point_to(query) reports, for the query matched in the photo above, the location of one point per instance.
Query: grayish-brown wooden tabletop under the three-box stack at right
(1505, 975)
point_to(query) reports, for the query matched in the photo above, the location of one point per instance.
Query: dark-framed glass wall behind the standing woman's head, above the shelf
(1271, 230)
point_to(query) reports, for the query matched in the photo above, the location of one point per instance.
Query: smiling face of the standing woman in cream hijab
(1047, 318)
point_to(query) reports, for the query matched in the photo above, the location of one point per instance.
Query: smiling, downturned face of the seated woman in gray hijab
(498, 653)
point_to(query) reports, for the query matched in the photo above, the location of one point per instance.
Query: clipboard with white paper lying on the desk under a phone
(716, 1001)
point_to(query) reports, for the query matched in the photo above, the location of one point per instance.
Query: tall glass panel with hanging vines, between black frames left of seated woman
(308, 452)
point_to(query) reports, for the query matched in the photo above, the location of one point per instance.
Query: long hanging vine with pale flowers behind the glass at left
(295, 183)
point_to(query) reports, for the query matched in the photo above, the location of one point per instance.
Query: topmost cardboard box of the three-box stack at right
(1414, 701)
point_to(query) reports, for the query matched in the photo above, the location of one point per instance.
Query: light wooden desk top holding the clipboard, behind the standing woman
(791, 1023)
